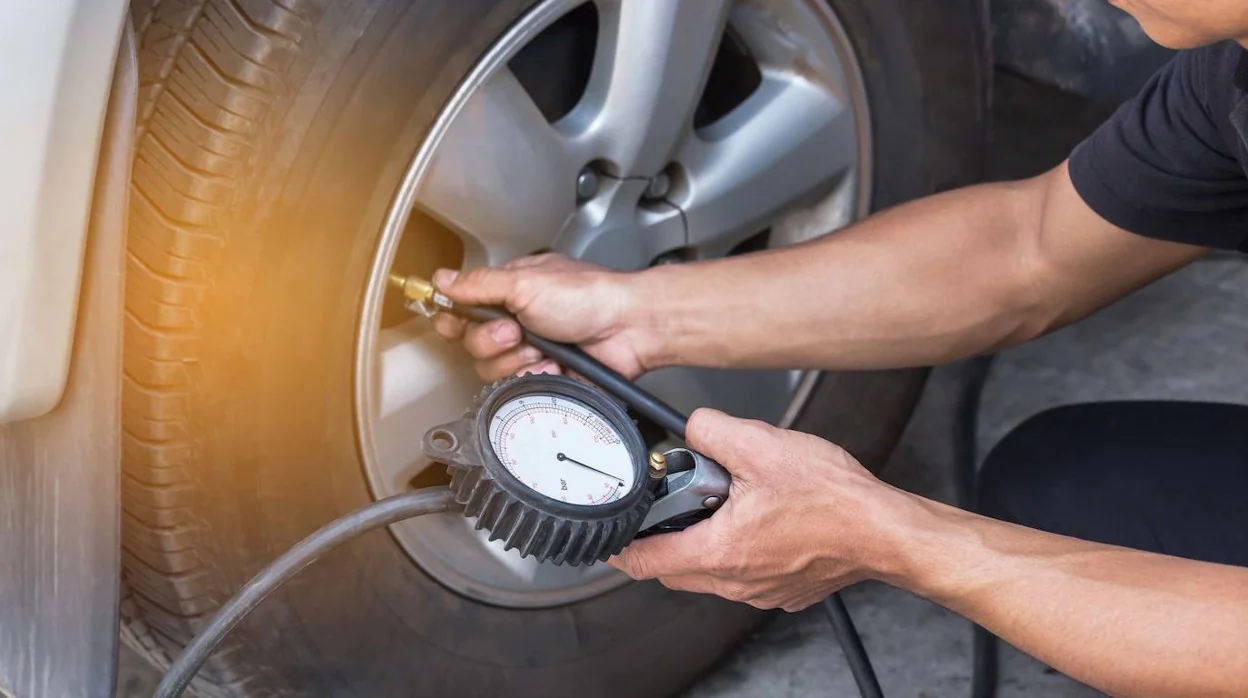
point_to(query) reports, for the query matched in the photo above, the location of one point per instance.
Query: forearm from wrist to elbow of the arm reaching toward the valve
(928, 283)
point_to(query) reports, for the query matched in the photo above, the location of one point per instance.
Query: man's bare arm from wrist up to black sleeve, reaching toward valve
(937, 280)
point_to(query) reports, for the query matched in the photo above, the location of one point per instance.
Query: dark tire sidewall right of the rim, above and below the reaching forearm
(929, 104)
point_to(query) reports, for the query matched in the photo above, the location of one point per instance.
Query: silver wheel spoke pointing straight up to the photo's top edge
(650, 72)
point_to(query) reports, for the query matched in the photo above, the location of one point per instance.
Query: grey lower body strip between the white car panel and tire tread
(61, 534)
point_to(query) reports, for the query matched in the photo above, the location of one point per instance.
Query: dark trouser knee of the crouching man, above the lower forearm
(1168, 478)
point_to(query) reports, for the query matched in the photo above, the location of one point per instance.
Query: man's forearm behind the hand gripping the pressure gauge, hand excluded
(1123, 621)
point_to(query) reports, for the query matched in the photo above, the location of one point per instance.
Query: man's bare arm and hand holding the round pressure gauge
(804, 519)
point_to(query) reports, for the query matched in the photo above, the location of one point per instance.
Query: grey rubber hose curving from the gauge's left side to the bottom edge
(308, 551)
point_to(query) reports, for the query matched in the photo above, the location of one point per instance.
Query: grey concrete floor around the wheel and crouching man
(1182, 338)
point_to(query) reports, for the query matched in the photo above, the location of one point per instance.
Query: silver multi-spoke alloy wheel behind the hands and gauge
(794, 158)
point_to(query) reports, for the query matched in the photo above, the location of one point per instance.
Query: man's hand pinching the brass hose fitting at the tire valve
(555, 297)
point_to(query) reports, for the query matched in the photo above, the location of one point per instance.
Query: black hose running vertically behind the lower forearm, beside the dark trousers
(984, 645)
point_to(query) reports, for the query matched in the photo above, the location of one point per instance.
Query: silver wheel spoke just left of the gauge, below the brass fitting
(424, 383)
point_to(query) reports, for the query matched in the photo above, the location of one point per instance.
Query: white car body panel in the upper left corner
(59, 66)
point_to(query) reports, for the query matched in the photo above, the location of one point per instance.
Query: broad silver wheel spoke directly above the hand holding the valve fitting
(502, 175)
